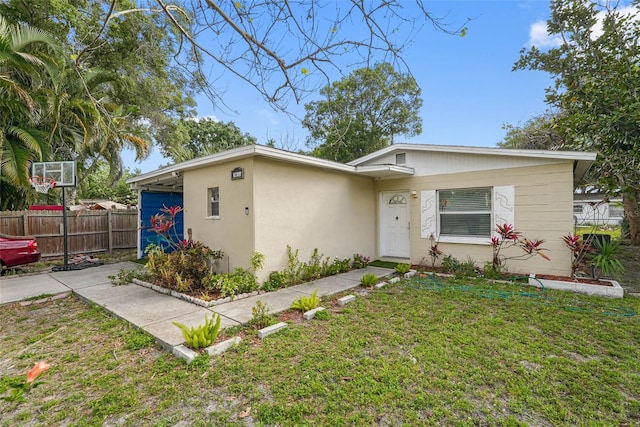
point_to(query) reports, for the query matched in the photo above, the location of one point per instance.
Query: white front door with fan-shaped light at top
(394, 224)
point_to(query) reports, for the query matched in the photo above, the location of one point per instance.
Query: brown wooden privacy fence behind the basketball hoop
(88, 231)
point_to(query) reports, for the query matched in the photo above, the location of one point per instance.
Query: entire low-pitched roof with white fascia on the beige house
(170, 178)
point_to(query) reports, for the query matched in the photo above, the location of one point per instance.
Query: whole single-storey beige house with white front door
(384, 205)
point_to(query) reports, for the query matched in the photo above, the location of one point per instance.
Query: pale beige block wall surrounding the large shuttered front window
(543, 200)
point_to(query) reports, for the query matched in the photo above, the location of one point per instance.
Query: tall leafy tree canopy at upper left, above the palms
(131, 40)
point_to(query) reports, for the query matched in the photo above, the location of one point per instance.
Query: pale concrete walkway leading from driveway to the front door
(155, 312)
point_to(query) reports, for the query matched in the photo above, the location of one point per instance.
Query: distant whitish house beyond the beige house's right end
(597, 209)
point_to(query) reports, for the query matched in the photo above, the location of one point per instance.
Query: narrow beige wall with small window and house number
(233, 231)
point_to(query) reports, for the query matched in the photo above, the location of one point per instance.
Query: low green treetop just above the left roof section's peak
(204, 137)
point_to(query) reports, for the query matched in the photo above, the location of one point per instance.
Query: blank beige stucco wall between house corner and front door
(307, 208)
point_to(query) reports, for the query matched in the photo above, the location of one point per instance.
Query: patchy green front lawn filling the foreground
(405, 355)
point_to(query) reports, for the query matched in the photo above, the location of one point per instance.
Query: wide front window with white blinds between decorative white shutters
(465, 212)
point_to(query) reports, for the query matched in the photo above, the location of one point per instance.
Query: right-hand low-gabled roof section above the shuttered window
(582, 160)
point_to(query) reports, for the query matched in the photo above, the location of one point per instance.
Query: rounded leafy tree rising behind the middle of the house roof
(363, 112)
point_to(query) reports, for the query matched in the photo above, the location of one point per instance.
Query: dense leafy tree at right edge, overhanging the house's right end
(597, 76)
